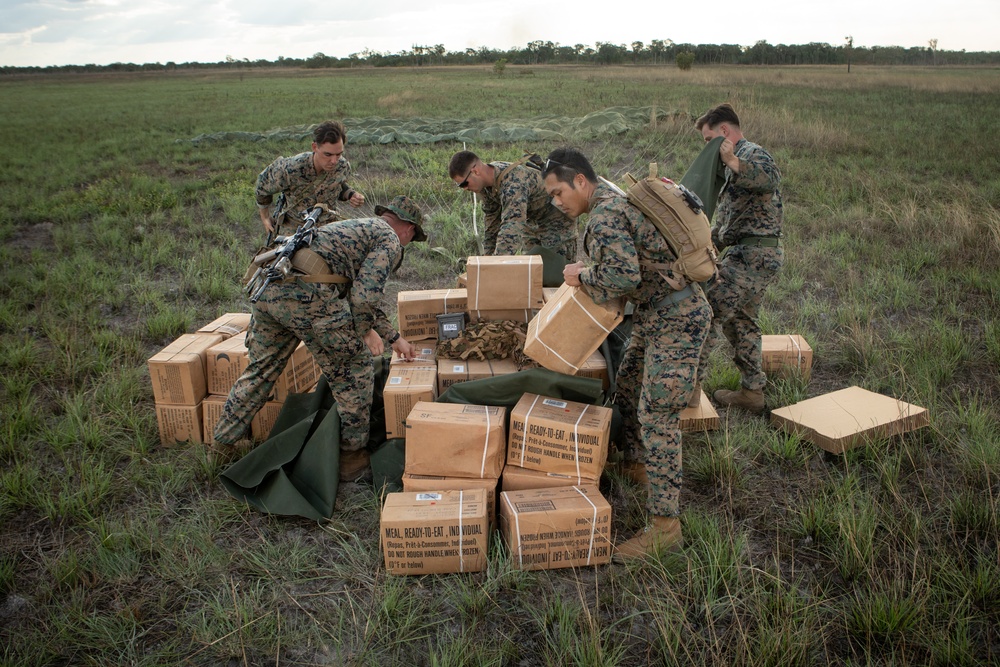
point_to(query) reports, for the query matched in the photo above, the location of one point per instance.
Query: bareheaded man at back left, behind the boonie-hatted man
(293, 185)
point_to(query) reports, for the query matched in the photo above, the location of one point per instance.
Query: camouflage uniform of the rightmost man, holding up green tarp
(747, 229)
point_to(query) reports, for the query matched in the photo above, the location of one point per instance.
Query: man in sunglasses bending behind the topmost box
(516, 208)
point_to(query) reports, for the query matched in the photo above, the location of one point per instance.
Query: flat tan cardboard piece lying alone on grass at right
(844, 419)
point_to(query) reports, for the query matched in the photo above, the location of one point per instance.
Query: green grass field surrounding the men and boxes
(118, 234)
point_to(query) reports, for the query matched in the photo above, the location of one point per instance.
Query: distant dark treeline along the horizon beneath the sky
(657, 52)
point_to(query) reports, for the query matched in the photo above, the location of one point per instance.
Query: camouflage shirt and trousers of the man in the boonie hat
(330, 319)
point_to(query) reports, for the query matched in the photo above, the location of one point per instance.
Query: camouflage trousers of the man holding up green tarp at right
(744, 275)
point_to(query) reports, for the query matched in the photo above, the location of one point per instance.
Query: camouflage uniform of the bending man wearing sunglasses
(519, 215)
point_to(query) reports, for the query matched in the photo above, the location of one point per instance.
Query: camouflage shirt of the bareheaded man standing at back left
(300, 188)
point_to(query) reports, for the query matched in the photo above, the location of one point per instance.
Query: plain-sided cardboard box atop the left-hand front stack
(456, 440)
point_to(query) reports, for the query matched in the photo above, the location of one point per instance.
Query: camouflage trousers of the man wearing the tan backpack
(655, 381)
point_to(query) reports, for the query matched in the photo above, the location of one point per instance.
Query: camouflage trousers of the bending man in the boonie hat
(285, 314)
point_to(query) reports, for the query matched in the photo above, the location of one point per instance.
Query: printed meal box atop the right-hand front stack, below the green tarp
(553, 435)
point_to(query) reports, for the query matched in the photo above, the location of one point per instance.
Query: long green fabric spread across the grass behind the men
(614, 120)
